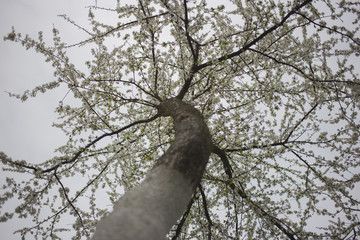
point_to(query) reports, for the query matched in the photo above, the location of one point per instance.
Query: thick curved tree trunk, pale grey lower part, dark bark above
(152, 208)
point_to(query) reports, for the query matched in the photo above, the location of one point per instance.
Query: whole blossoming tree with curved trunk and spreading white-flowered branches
(242, 119)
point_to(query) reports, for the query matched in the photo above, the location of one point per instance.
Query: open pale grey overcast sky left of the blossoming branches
(25, 129)
